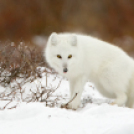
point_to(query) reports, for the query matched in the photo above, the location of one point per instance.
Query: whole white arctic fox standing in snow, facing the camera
(80, 58)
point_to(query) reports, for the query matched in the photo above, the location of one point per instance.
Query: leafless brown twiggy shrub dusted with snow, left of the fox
(19, 64)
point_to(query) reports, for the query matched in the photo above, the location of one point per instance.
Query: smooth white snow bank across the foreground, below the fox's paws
(34, 118)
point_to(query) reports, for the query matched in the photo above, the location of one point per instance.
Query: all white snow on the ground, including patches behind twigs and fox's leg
(95, 116)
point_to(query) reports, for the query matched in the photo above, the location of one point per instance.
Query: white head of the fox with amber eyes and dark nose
(61, 52)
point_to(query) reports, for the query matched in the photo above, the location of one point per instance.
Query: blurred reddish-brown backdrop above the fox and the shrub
(35, 20)
